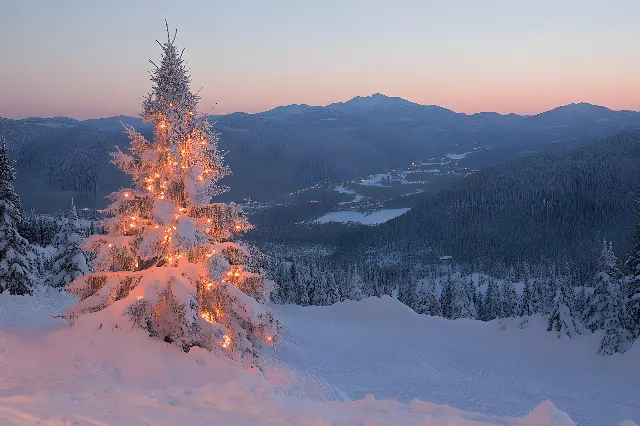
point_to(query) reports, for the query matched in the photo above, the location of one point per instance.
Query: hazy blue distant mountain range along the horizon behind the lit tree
(291, 147)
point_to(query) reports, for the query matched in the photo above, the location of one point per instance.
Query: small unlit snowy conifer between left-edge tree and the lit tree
(69, 262)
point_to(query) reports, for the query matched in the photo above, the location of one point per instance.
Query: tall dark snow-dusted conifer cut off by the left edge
(15, 271)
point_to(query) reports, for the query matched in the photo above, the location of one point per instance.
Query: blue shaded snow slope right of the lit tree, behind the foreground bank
(381, 347)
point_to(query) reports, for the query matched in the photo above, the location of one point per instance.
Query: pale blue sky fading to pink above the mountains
(88, 59)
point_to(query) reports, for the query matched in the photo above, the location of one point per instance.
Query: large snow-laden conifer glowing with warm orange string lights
(169, 263)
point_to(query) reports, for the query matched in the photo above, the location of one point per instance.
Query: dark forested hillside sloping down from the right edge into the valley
(553, 206)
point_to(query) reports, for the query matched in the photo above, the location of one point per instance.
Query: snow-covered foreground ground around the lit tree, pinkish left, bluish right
(355, 363)
